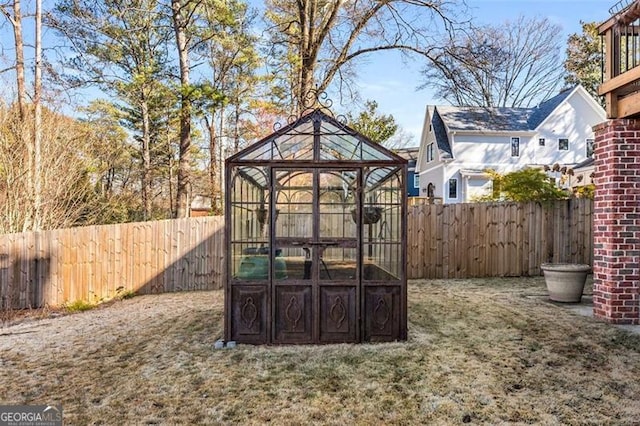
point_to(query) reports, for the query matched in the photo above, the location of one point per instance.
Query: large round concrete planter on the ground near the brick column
(565, 281)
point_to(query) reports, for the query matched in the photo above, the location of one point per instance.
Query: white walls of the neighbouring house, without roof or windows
(573, 119)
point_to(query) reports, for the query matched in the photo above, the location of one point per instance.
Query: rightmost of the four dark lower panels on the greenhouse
(382, 313)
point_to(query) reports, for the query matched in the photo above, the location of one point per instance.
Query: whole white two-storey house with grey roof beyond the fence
(459, 143)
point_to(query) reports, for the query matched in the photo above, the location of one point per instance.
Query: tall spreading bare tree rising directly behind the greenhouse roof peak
(314, 42)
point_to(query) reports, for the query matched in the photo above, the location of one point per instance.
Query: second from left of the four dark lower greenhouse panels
(293, 314)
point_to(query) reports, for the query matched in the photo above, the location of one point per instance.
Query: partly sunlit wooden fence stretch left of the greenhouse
(97, 262)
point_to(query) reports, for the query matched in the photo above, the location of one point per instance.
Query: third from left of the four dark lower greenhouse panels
(338, 315)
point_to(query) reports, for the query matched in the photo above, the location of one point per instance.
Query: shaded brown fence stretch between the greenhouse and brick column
(497, 239)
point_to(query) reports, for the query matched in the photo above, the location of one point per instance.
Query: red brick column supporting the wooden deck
(616, 290)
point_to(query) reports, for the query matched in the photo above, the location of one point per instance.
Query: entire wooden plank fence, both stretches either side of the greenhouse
(444, 241)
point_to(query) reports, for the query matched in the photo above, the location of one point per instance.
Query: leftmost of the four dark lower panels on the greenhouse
(249, 314)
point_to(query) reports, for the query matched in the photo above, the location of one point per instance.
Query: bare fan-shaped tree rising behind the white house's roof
(516, 64)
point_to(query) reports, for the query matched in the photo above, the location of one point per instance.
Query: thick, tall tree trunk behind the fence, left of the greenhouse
(184, 177)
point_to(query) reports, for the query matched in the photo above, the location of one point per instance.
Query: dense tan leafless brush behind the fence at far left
(66, 190)
